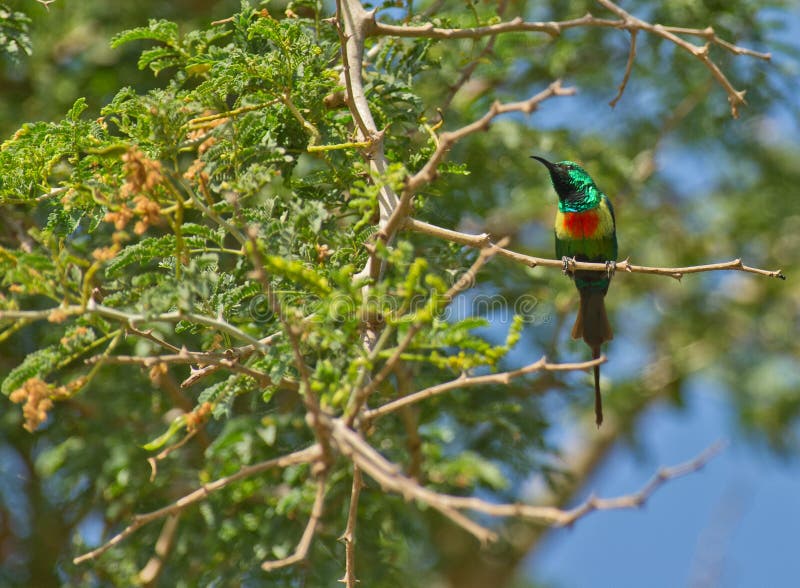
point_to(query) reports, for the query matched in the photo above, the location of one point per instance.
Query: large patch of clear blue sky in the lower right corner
(733, 523)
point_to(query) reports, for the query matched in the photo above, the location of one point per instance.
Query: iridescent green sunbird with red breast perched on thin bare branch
(585, 230)
